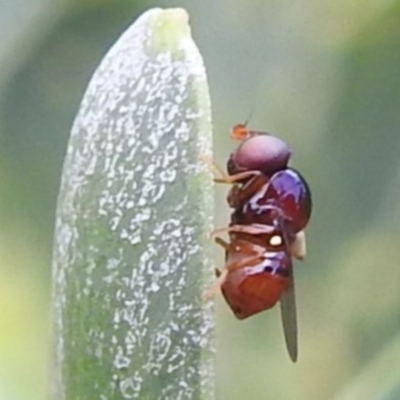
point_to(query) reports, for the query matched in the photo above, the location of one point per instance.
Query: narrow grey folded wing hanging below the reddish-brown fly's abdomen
(289, 319)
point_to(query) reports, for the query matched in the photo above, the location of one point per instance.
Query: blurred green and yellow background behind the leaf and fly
(324, 76)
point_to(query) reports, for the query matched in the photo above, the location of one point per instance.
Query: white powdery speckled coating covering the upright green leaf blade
(133, 150)
